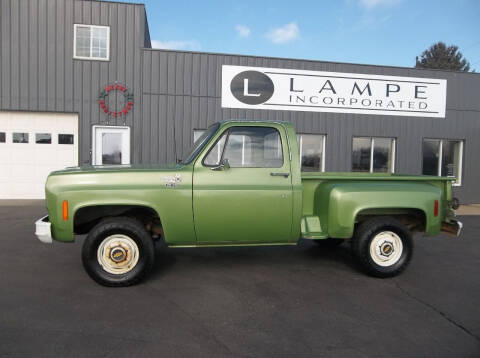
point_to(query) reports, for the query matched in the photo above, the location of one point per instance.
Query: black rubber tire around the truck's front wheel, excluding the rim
(123, 226)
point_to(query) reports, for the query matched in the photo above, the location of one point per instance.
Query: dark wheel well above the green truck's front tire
(87, 217)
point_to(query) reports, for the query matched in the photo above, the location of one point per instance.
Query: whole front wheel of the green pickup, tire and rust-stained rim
(118, 252)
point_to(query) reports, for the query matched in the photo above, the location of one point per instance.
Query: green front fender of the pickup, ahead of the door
(173, 204)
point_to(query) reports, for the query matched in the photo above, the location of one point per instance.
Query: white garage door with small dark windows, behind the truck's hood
(31, 146)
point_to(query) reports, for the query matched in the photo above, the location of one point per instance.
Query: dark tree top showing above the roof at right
(441, 56)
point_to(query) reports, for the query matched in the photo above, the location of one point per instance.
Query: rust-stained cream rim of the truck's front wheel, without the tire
(118, 254)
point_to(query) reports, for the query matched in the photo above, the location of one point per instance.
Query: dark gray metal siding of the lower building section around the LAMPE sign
(182, 92)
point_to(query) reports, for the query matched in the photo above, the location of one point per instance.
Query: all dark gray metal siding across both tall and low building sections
(176, 92)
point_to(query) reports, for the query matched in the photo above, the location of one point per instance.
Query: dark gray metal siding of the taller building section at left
(38, 72)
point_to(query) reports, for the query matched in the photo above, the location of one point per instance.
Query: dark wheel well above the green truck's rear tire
(414, 219)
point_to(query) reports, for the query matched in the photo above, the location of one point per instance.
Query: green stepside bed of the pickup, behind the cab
(331, 201)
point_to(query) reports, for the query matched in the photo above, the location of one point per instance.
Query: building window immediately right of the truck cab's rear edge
(312, 152)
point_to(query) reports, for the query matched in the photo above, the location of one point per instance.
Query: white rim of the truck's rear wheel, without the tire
(386, 248)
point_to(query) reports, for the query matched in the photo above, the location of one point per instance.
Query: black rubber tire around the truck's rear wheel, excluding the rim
(362, 240)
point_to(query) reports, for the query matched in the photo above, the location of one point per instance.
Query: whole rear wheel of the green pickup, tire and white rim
(383, 246)
